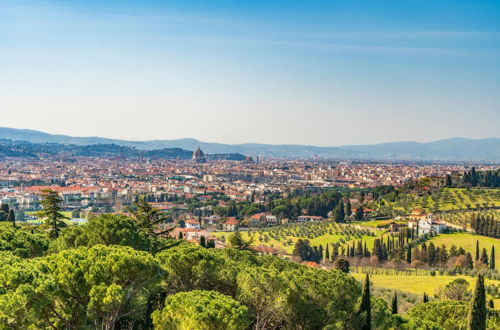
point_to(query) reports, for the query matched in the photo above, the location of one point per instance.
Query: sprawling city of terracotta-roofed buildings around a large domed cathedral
(97, 184)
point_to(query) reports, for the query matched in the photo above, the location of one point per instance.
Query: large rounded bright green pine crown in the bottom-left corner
(79, 288)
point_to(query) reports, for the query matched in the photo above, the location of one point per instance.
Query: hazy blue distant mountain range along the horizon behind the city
(454, 149)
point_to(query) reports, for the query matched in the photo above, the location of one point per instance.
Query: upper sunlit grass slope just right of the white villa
(468, 242)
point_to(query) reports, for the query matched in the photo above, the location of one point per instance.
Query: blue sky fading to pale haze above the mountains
(309, 72)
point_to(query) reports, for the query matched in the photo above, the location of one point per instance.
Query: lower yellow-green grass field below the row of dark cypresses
(420, 284)
